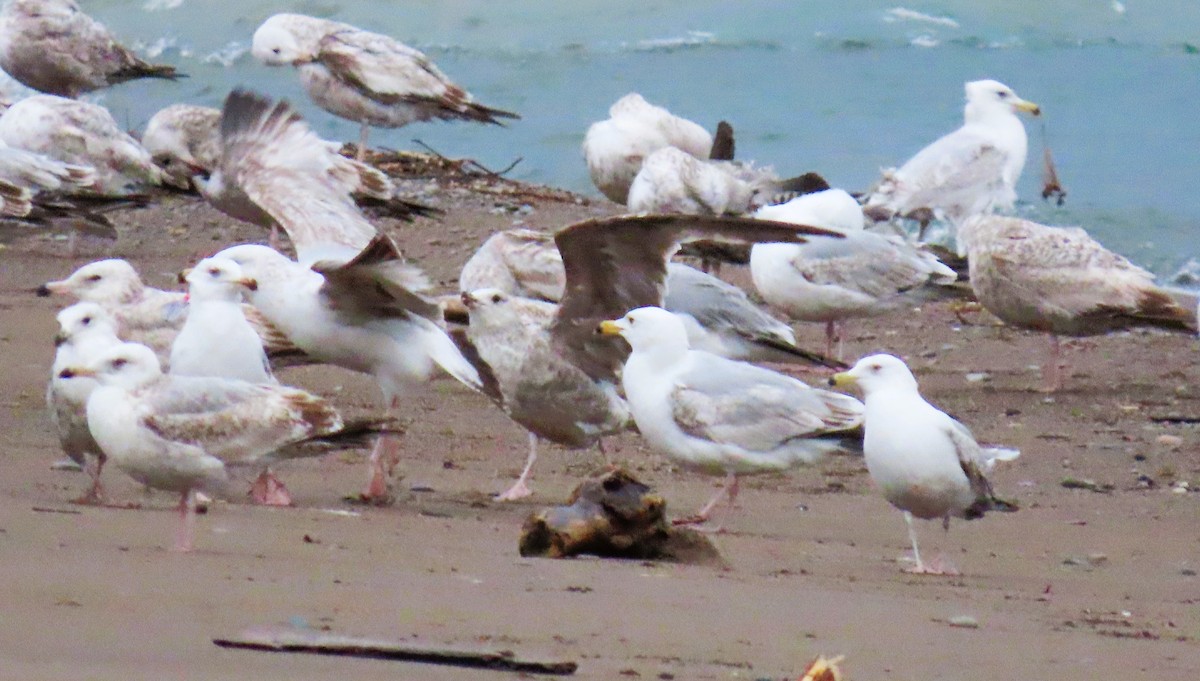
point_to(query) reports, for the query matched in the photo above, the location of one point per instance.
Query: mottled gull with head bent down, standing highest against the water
(365, 77)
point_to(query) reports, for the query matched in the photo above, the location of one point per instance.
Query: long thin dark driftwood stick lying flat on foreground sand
(321, 643)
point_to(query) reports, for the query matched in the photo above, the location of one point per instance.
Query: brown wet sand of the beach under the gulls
(1079, 584)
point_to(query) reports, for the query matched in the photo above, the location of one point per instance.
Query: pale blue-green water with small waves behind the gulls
(843, 89)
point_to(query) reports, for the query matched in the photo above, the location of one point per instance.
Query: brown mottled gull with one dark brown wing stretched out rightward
(555, 376)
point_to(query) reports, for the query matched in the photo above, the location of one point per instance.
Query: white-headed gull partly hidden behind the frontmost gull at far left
(86, 330)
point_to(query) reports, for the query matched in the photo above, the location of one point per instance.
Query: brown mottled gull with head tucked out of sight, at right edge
(1063, 282)
